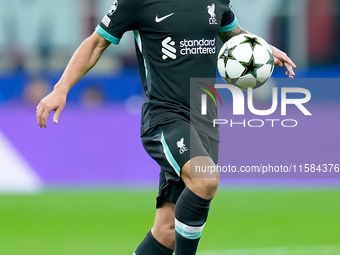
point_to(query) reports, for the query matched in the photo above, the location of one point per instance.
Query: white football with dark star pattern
(245, 61)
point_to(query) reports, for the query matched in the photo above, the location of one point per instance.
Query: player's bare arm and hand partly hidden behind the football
(280, 57)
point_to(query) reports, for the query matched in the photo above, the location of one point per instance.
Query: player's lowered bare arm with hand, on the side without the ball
(85, 57)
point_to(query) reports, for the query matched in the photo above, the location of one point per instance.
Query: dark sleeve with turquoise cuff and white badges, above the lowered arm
(120, 18)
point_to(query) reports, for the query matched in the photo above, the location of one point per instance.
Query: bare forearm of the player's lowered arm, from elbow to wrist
(82, 61)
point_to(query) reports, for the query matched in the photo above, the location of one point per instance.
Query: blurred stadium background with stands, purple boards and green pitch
(86, 186)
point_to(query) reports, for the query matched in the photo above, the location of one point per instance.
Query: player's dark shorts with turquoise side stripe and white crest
(171, 146)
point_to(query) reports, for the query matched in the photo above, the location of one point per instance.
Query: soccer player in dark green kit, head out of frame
(175, 41)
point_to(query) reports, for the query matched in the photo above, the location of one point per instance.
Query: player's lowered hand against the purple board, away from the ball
(55, 101)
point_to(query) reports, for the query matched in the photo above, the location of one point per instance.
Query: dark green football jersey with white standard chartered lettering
(176, 41)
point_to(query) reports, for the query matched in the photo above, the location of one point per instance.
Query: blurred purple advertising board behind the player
(102, 146)
